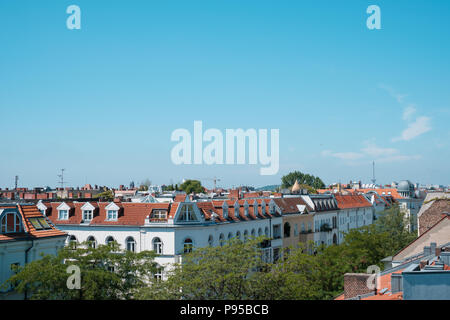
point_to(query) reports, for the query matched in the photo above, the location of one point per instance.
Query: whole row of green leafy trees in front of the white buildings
(234, 271)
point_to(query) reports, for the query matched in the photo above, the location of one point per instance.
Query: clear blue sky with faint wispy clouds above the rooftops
(102, 101)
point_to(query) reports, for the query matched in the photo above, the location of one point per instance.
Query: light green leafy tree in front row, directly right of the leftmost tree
(228, 272)
